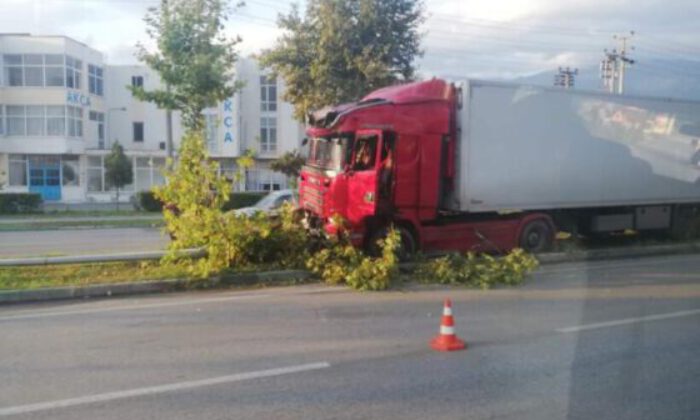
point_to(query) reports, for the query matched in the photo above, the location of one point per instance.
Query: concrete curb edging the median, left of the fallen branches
(158, 286)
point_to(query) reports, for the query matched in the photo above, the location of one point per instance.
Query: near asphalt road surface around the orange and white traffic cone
(602, 340)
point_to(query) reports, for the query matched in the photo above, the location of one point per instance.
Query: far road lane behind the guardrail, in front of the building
(80, 241)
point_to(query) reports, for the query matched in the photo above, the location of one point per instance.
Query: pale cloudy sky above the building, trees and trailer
(477, 38)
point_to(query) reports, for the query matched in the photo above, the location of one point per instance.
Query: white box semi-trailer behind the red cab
(525, 148)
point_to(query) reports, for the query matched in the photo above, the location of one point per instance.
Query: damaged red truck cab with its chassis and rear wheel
(388, 160)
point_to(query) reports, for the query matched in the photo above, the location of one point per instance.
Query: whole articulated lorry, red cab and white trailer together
(473, 165)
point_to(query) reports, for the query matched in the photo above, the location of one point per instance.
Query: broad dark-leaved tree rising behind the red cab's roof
(340, 50)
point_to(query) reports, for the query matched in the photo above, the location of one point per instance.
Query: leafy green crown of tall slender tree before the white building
(194, 58)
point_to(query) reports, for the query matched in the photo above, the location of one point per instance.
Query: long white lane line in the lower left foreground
(159, 389)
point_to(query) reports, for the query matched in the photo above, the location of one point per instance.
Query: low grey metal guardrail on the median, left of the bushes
(79, 259)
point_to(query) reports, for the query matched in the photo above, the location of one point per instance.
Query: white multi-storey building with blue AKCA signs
(62, 108)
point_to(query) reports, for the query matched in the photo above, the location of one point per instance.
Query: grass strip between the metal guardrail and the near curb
(33, 277)
